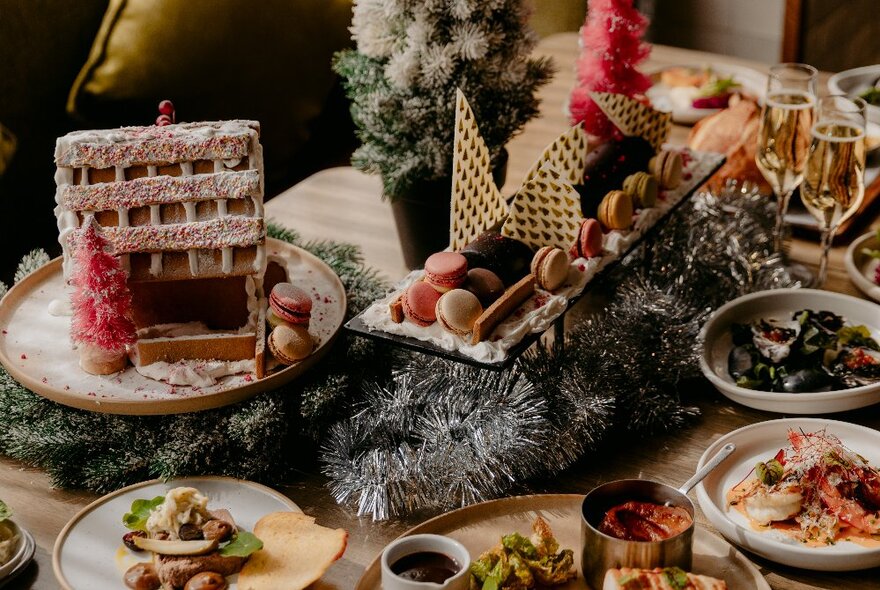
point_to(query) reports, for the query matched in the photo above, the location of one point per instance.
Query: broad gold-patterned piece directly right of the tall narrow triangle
(545, 212)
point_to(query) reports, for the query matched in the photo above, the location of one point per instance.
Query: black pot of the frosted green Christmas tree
(422, 215)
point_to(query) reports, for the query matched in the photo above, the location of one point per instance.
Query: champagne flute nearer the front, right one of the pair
(834, 180)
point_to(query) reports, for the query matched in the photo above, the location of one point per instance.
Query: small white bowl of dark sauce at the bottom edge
(425, 562)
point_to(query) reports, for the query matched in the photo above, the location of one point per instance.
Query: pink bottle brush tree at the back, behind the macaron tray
(612, 48)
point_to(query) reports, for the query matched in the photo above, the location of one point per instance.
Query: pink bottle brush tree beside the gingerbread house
(101, 325)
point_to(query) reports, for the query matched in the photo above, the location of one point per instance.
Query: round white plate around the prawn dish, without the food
(761, 441)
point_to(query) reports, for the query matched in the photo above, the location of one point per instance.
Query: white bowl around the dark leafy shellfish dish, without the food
(781, 303)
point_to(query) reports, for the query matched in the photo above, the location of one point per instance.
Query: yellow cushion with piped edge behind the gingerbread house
(215, 59)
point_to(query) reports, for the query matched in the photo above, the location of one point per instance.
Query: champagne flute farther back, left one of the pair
(784, 134)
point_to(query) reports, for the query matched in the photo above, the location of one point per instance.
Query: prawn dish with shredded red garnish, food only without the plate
(815, 490)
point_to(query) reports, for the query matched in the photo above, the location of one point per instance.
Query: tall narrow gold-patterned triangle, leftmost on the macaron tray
(477, 204)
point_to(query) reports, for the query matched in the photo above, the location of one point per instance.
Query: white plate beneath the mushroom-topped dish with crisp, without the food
(89, 554)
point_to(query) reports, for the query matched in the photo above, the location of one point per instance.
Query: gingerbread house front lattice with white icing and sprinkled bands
(169, 191)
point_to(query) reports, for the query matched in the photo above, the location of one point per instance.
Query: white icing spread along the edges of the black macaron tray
(537, 314)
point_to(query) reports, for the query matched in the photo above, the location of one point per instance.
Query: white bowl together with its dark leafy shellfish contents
(800, 351)
